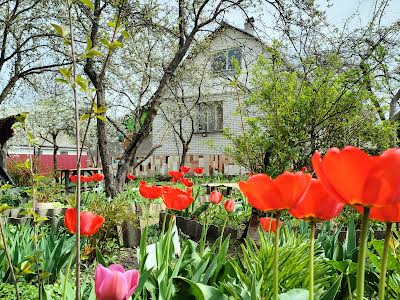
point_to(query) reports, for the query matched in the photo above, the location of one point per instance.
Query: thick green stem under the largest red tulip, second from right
(362, 254)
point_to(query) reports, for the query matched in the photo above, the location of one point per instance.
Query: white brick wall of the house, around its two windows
(212, 87)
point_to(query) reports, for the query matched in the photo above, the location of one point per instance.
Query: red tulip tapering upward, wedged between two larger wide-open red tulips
(317, 204)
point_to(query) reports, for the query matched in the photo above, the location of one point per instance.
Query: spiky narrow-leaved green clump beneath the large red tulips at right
(257, 263)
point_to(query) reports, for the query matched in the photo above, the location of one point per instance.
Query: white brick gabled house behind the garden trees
(201, 102)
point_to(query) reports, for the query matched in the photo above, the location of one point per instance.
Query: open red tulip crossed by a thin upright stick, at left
(89, 222)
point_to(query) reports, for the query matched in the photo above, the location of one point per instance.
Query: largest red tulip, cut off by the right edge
(353, 177)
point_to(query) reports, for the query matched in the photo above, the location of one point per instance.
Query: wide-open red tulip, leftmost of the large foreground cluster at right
(281, 193)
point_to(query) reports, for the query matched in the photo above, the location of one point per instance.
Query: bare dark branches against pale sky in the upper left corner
(25, 44)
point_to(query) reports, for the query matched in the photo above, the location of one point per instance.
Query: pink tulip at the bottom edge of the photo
(113, 283)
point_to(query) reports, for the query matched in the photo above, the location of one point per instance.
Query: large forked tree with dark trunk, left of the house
(191, 19)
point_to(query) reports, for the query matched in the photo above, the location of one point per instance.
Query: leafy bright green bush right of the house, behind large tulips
(294, 111)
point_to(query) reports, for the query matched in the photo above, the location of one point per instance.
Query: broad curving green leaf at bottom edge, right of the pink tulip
(197, 290)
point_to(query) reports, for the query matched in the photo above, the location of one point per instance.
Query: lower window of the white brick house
(209, 117)
